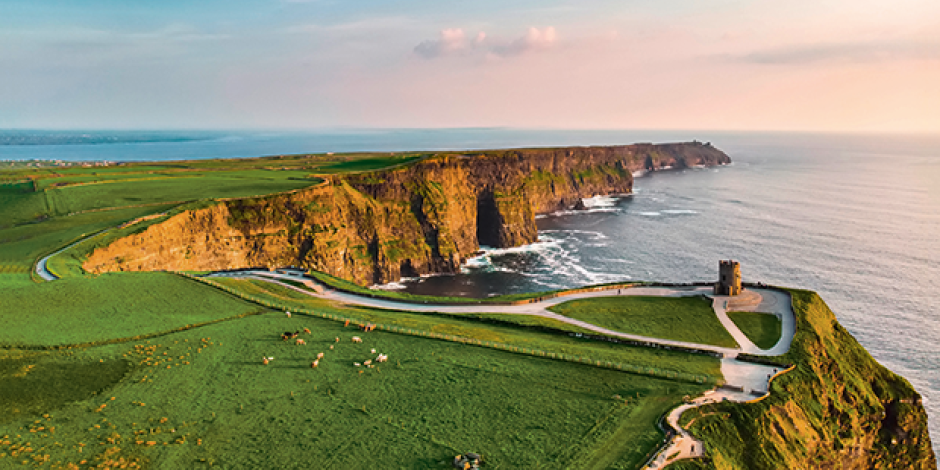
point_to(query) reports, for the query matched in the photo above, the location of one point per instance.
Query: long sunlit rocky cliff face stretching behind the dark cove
(380, 226)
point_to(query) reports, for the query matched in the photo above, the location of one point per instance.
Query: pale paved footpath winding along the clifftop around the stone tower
(745, 380)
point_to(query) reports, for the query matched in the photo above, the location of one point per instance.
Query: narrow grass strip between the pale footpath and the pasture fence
(505, 333)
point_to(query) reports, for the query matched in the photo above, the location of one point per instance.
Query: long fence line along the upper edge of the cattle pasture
(620, 366)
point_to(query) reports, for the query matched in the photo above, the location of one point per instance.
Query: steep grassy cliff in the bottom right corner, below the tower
(838, 409)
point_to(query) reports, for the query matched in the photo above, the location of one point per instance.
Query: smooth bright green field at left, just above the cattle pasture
(82, 310)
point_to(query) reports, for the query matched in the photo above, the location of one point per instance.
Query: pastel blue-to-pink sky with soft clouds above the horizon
(795, 65)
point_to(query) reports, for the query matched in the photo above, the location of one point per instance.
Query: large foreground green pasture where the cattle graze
(202, 398)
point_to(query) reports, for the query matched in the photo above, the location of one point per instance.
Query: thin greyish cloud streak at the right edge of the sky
(844, 53)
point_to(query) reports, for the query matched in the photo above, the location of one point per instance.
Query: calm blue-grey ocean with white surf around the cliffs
(853, 217)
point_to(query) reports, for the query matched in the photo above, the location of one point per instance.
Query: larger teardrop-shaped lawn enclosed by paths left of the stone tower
(682, 319)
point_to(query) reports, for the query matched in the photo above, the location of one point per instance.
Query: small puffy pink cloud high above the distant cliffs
(455, 42)
